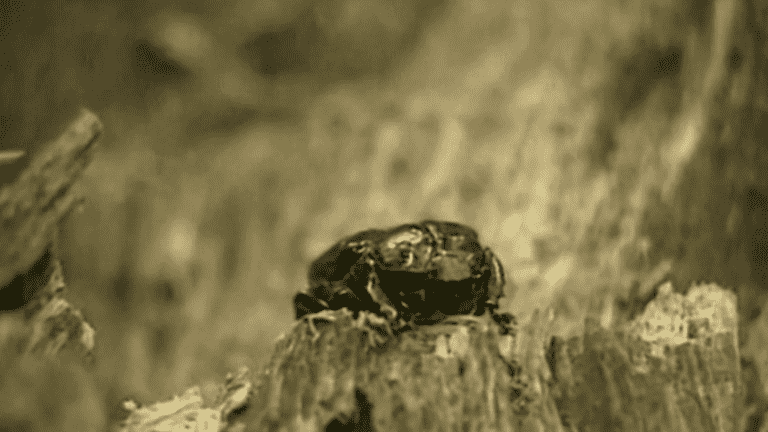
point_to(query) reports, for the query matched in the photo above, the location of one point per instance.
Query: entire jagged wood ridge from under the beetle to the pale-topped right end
(675, 367)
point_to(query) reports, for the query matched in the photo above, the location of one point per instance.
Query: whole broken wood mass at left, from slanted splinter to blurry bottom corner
(45, 351)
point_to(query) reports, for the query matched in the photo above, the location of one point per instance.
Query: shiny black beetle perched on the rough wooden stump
(414, 274)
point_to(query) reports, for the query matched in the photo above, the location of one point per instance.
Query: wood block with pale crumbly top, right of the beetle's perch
(675, 367)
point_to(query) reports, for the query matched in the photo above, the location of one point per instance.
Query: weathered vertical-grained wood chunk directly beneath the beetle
(442, 377)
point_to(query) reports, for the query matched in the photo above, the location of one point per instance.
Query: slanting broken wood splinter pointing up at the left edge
(32, 206)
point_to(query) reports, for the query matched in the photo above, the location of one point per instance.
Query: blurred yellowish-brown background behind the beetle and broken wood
(598, 147)
